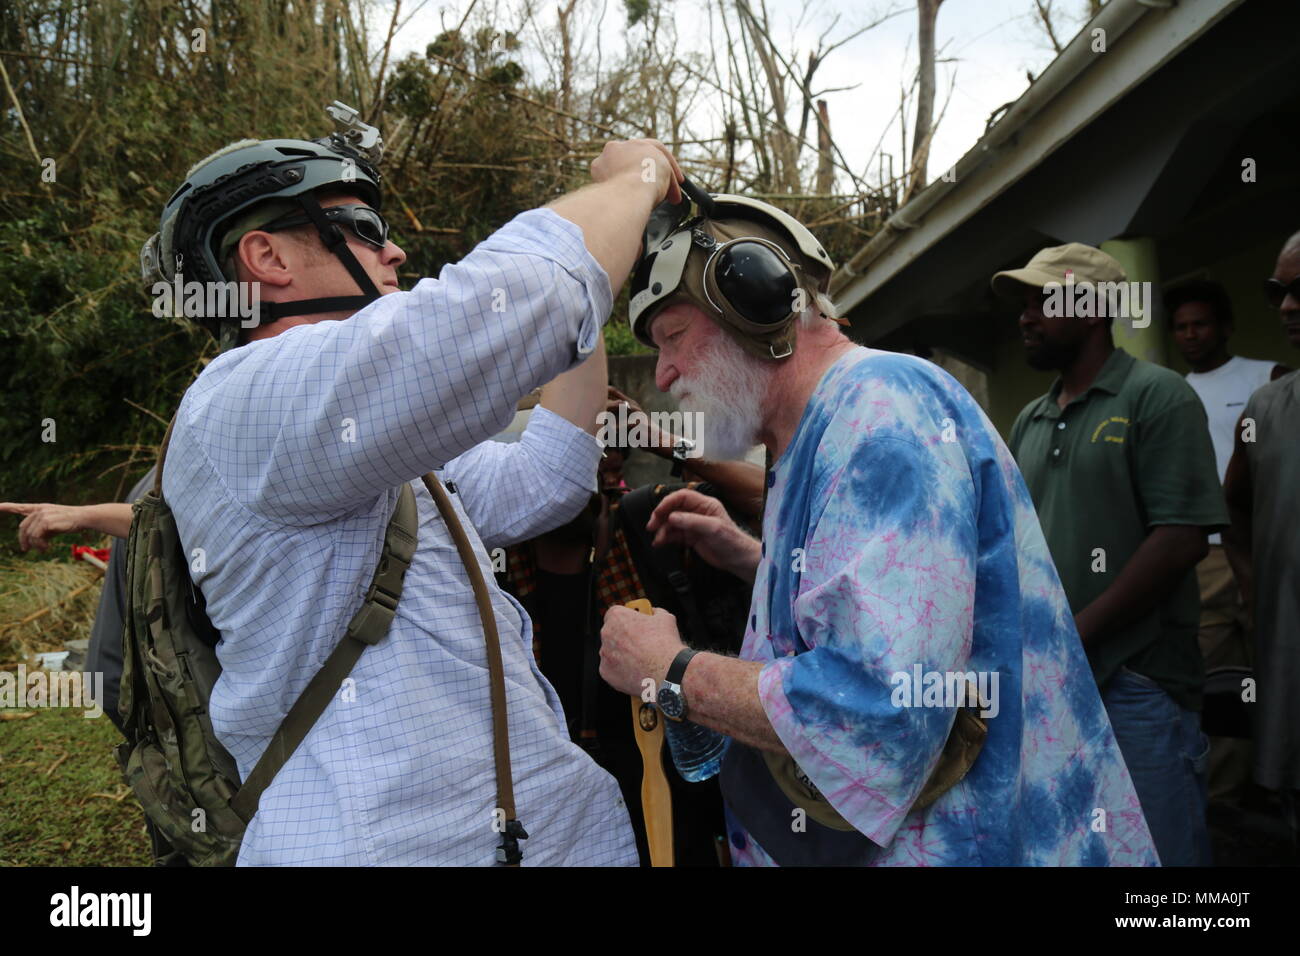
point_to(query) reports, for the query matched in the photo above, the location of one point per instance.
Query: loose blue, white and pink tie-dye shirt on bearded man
(900, 543)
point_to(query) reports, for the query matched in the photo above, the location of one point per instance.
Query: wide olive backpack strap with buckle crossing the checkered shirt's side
(369, 626)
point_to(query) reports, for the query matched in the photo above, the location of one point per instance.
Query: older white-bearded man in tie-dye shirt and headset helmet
(912, 689)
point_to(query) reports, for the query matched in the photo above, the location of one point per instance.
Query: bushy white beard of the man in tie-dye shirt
(729, 395)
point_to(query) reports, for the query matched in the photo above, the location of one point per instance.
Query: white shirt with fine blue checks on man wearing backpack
(284, 469)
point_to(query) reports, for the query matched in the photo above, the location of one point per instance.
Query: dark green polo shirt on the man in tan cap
(1129, 455)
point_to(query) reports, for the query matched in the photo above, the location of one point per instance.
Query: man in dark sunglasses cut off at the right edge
(1262, 485)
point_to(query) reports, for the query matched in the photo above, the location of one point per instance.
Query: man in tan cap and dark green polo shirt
(1120, 464)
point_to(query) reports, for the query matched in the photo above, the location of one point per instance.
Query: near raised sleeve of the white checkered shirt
(320, 421)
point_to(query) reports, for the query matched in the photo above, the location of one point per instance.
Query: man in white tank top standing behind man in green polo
(1201, 317)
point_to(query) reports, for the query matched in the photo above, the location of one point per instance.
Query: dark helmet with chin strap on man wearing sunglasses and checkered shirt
(244, 175)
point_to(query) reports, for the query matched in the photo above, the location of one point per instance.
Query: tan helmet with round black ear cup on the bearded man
(748, 266)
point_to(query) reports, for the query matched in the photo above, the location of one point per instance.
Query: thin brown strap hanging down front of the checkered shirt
(509, 853)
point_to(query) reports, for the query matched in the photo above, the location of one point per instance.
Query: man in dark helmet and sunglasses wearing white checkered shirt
(285, 464)
